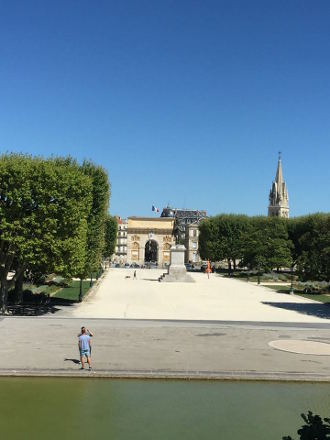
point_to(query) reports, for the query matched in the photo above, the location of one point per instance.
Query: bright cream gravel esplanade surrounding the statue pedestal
(217, 298)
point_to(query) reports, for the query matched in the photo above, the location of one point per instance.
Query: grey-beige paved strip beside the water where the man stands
(125, 348)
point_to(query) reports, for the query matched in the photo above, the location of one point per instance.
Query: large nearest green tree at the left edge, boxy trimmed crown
(43, 218)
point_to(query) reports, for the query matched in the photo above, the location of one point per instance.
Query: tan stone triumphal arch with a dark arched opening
(149, 240)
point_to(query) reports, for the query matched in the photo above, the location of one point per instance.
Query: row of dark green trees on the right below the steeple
(267, 243)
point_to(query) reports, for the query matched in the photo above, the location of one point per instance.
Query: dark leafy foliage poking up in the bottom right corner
(315, 428)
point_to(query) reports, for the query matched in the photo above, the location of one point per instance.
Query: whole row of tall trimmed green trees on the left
(53, 214)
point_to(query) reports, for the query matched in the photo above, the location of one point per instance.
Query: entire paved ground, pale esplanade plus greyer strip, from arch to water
(213, 328)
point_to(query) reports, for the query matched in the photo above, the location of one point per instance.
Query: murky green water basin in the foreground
(46, 408)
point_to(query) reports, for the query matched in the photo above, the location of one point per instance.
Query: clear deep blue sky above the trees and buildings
(186, 102)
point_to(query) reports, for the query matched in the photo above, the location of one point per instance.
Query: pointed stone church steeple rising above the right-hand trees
(278, 196)
